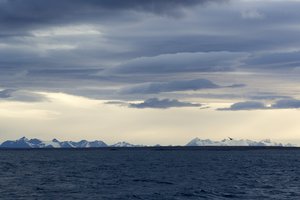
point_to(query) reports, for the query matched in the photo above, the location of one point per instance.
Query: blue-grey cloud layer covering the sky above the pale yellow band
(128, 50)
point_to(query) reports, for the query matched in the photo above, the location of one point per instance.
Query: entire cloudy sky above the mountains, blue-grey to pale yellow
(150, 71)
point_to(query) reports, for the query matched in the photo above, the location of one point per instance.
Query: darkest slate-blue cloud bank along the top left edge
(20, 14)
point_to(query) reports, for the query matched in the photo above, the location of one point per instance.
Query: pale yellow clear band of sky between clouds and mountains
(69, 117)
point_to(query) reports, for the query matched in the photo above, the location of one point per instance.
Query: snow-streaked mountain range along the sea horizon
(37, 143)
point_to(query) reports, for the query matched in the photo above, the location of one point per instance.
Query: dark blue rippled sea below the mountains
(150, 173)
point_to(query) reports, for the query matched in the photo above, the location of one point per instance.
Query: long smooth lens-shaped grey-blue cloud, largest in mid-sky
(182, 62)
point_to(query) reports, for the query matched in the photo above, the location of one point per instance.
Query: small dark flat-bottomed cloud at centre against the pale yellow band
(163, 104)
